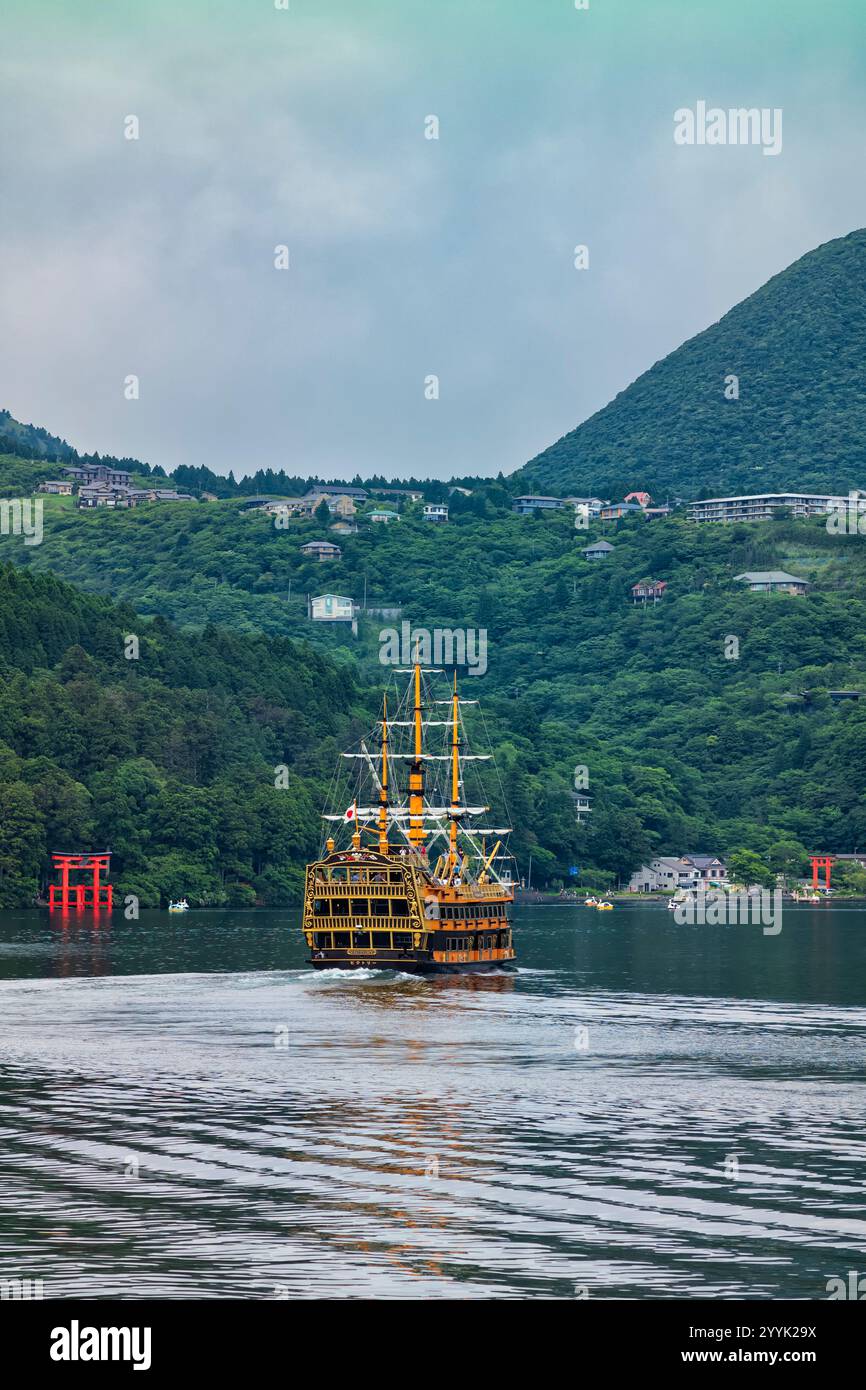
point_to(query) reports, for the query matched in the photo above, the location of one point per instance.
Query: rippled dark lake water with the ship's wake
(642, 1111)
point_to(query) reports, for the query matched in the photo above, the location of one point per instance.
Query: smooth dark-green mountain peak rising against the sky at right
(797, 348)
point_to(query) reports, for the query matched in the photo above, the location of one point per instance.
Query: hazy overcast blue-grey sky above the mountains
(409, 256)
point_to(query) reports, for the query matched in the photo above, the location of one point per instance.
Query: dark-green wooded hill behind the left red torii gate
(169, 758)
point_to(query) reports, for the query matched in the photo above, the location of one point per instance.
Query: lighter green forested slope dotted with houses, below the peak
(685, 749)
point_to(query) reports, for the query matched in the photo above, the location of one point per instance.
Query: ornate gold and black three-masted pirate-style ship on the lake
(415, 888)
